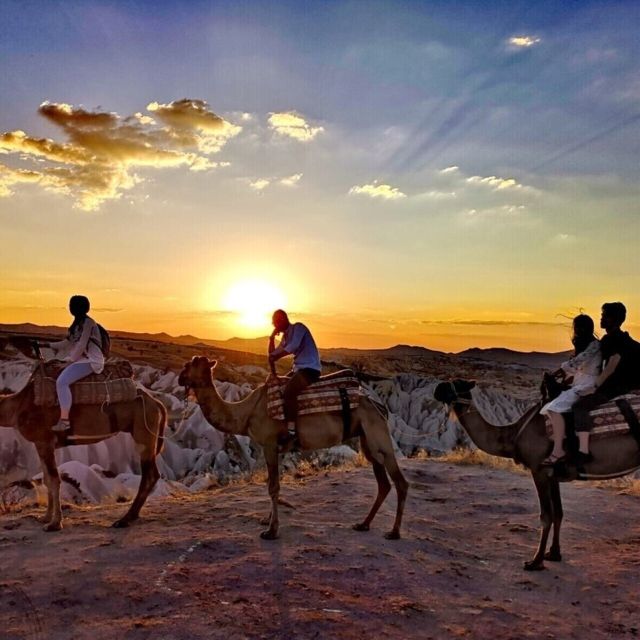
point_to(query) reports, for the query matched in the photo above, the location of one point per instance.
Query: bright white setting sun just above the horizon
(253, 302)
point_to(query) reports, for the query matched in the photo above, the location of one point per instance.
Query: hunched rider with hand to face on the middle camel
(298, 342)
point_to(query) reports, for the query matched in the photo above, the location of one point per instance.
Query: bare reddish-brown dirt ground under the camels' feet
(196, 568)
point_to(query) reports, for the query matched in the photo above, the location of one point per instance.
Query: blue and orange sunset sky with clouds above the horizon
(445, 174)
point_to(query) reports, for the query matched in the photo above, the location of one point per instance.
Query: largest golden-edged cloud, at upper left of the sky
(97, 162)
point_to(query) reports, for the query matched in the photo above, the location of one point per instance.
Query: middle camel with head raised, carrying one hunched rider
(316, 431)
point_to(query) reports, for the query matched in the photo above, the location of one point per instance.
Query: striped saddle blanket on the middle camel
(320, 397)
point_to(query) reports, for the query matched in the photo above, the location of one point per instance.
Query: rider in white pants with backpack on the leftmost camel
(82, 348)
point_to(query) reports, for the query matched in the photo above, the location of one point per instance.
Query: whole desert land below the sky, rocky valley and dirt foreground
(195, 567)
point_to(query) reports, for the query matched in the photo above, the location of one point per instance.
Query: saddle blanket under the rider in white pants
(114, 384)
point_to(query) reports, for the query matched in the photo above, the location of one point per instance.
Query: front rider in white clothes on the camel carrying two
(584, 367)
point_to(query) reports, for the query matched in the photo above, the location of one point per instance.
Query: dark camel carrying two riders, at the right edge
(527, 442)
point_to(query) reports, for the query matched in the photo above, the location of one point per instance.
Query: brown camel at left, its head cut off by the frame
(144, 418)
